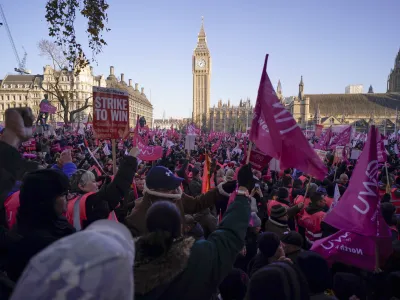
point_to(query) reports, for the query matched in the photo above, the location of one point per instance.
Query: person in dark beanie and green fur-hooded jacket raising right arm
(168, 266)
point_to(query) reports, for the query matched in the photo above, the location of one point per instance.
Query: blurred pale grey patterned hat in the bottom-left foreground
(96, 263)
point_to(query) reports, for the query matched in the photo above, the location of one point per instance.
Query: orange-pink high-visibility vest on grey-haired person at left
(76, 211)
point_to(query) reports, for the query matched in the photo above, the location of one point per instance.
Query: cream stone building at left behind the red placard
(29, 90)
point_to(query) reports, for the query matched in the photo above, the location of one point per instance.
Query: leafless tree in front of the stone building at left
(54, 87)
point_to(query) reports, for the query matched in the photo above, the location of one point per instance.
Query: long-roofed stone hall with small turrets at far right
(359, 110)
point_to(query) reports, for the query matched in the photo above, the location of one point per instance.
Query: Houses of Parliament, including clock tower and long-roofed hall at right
(359, 110)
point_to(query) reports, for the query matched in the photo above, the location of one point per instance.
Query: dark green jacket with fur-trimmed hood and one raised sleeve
(193, 270)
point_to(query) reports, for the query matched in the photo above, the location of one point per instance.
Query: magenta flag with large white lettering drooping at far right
(358, 209)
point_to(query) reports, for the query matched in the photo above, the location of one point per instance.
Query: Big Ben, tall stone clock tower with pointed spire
(201, 69)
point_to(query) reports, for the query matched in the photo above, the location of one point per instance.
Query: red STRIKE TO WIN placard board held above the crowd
(110, 113)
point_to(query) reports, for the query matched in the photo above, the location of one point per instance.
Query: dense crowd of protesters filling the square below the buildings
(72, 229)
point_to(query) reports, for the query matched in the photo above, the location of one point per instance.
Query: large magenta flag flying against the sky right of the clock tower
(276, 133)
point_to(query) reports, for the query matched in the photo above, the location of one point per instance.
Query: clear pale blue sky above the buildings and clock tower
(331, 44)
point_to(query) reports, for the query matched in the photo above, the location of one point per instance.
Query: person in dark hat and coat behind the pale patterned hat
(39, 219)
